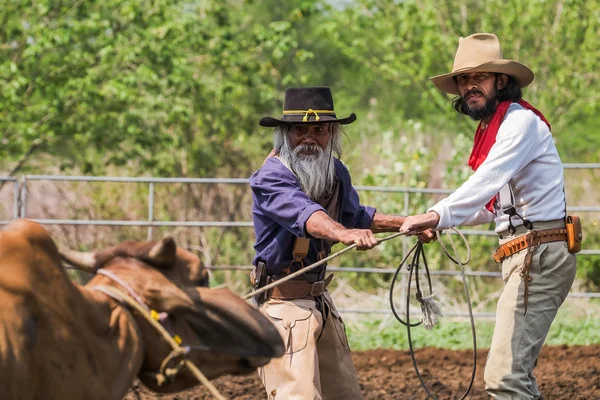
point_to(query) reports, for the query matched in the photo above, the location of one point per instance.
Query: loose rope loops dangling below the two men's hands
(414, 266)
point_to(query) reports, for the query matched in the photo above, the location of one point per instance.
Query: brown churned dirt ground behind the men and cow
(563, 372)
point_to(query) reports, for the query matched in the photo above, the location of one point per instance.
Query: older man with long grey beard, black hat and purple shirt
(304, 202)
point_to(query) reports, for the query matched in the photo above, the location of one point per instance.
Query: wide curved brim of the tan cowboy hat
(520, 72)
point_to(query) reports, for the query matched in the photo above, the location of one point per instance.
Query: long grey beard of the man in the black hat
(315, 171)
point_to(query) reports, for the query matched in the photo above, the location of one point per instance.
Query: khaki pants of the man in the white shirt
(518, 338)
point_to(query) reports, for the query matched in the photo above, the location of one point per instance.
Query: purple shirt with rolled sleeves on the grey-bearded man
(280, 209)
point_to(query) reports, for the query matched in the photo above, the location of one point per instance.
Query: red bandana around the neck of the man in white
(485, 138)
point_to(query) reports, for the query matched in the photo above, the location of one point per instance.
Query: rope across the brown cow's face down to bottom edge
(123, 297)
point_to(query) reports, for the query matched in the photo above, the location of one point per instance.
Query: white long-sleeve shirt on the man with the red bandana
(524, 155)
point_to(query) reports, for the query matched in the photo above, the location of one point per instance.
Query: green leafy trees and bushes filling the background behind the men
(176, 88)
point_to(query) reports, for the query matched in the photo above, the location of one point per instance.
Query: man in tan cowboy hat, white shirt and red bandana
(518, 183)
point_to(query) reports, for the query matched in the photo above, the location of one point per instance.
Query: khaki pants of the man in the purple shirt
(312, 367)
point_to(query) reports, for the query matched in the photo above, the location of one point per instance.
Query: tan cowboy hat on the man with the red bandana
(481, 52)
